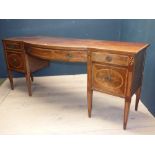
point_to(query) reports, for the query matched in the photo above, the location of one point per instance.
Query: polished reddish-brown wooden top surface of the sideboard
(131, 47)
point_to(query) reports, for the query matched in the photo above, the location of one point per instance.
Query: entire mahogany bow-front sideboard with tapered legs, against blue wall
(113, 67)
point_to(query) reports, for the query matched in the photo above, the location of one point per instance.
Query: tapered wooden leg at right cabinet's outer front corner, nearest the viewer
(126, 112)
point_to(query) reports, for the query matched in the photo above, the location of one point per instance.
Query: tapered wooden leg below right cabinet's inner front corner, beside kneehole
(89, 100)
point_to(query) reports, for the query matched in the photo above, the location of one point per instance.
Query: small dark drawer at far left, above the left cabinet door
(12, 45)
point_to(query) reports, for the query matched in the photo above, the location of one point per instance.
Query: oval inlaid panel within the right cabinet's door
(109, 78)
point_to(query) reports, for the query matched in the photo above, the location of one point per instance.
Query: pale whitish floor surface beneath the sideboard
(58, 106)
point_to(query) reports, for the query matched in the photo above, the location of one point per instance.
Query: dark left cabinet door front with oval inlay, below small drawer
(16, 61)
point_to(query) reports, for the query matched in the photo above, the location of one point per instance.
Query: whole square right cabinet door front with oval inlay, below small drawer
(109, 79)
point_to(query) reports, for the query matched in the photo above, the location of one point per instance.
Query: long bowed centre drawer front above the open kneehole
(60, 55)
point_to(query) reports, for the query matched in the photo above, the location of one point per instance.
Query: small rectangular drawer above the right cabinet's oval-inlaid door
(109, 58)
